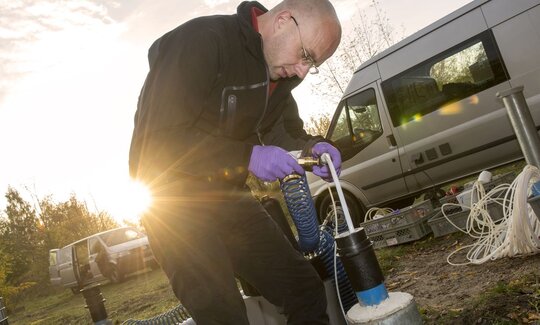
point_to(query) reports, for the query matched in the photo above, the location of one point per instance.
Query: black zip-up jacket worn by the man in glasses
(205, 102)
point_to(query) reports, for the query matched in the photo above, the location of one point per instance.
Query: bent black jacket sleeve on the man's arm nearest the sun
(182, 73)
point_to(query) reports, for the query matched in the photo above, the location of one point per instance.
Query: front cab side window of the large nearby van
(358, 123)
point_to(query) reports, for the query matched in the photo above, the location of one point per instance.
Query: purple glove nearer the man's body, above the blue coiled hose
(269, 163)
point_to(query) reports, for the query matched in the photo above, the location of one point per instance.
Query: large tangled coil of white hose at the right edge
(518, 233)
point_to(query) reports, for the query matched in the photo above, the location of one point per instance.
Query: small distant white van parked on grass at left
(107, 255)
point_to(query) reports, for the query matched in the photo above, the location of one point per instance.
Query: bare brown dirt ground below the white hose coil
(504, 291)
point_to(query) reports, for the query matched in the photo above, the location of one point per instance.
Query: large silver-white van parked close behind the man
(425, 112)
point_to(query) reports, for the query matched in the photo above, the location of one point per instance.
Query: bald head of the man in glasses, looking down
(310, 24)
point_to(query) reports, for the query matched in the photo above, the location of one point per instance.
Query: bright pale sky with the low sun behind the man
(70, 75)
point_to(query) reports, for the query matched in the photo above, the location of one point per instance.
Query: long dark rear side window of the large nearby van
(457, 73)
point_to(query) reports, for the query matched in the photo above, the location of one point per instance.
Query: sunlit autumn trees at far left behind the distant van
(27, 234)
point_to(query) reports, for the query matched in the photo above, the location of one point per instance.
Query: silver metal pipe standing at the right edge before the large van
(523, 124)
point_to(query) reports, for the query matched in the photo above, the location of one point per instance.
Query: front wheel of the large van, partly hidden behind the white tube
(326, 210)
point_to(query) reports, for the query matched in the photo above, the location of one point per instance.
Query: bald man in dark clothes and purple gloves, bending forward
(217, 104)
